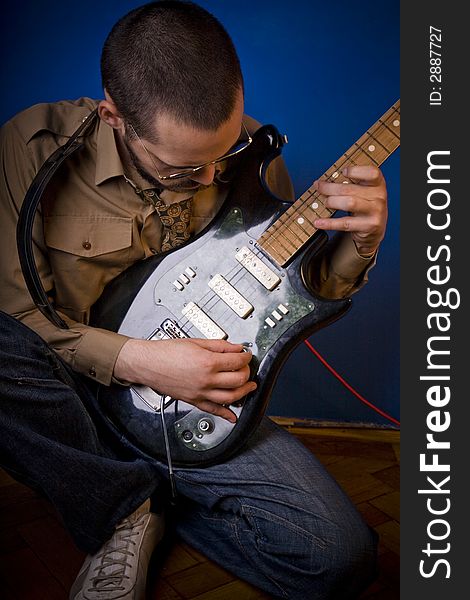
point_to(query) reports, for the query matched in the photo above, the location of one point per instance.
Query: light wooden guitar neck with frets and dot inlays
(282, 240)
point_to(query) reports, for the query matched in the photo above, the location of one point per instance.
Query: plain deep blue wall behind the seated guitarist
(321, 72)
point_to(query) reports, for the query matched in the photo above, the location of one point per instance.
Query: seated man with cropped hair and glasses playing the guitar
(169, 125)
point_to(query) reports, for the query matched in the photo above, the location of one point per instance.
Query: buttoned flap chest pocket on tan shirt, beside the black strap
(85, 253)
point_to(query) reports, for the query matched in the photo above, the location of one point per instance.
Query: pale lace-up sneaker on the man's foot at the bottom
(118, 571)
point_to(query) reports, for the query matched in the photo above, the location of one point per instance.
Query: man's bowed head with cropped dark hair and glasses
(174, 88)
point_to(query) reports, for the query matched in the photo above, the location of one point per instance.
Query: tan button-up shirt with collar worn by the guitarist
(91, 226)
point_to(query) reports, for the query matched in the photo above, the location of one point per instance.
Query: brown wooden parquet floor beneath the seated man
(39, 562)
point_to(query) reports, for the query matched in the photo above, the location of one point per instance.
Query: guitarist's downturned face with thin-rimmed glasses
(180, 147)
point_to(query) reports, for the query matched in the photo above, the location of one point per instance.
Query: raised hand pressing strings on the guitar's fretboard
(365, 198)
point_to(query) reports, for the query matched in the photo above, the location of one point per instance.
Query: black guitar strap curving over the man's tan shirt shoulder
(24, 229)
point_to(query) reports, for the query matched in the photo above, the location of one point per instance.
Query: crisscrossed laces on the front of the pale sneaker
(111, 571)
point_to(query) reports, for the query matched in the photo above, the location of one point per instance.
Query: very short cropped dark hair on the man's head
(172, 57)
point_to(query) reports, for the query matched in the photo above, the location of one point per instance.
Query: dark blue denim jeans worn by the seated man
(271, 515)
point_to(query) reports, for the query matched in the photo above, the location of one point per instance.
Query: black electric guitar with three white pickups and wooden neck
(244, 279)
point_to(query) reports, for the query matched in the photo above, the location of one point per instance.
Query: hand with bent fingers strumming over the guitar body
(205, 373)
